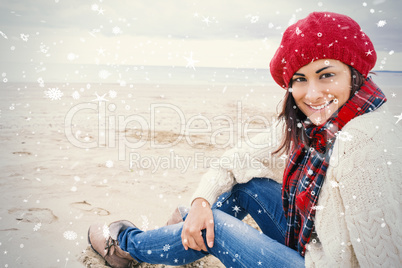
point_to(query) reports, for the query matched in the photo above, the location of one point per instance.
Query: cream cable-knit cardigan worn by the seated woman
(359, 216)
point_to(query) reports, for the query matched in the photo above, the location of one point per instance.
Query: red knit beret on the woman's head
(322, 35)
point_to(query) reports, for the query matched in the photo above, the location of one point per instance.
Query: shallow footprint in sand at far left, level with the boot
(35, 215)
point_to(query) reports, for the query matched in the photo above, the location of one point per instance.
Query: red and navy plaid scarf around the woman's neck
(307, 165)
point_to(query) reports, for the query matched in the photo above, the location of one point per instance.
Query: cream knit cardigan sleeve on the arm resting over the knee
(240, 164)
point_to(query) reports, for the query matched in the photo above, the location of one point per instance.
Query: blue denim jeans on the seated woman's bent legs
(236, 243)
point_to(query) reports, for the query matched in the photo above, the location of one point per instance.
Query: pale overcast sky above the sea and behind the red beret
(36, 34)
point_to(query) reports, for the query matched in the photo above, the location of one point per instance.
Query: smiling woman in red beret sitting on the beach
(339, 203)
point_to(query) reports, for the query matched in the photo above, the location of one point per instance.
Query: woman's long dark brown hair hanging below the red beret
(293, 116)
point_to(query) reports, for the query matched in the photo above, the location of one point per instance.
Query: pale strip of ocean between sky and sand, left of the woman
(126, 74)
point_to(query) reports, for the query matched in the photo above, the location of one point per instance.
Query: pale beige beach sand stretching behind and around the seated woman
(53, 188)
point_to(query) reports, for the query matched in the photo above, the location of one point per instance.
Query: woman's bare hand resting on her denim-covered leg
(199, 218)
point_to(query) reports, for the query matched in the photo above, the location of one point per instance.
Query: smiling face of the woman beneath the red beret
(320, 88)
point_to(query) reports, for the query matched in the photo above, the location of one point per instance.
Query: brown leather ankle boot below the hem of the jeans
(103, 240)
